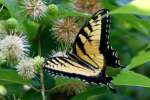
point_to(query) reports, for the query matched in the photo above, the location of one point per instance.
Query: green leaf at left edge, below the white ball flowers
(11, 76)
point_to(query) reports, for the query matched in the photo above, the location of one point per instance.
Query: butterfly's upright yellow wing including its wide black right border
(92, 43)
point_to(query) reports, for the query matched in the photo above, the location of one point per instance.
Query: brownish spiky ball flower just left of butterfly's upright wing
(66, 29)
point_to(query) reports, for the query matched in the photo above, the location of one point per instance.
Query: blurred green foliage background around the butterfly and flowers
(129, 34)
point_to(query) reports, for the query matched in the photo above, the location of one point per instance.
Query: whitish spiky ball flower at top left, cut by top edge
(35, 8)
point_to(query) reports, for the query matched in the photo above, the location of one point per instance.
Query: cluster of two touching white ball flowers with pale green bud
(14, 49)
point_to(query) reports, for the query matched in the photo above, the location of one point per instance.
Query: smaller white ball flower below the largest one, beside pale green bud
(26, 69)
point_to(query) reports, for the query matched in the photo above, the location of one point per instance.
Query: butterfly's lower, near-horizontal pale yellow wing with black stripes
(69, 66)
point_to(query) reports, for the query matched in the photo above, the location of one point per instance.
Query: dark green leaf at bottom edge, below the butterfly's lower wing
(90, 92)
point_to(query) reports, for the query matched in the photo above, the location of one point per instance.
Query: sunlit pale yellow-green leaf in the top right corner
(135, 7)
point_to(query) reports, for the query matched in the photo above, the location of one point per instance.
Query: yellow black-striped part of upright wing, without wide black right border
(87, 42)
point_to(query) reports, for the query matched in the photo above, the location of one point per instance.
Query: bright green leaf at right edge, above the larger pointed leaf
(141, 58)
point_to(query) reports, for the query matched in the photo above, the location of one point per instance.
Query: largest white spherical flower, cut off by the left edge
(14, 47)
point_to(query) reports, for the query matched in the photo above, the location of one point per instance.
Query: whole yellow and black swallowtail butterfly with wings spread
(90, 55)
